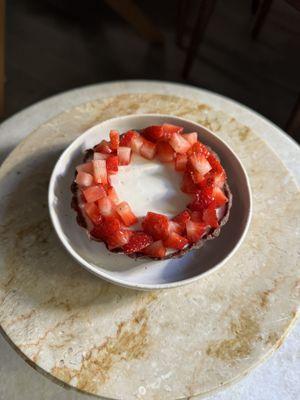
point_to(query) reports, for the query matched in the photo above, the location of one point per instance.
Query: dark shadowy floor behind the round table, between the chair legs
(56, 45)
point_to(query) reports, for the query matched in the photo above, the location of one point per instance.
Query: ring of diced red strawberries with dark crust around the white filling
(110, 220)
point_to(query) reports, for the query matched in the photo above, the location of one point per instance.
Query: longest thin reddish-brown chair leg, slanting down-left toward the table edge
(205, 10)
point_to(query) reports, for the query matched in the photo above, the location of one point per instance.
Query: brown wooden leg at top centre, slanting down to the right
(132, 13)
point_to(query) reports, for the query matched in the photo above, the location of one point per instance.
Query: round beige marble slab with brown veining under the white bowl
(124, 344)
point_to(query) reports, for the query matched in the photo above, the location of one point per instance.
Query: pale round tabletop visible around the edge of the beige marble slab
(17, 127)
